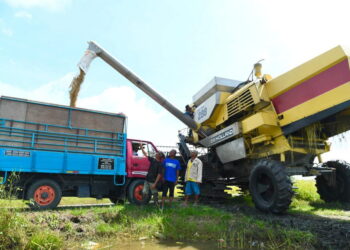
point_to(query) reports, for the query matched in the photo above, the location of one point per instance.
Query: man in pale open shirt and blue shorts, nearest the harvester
(193, 177)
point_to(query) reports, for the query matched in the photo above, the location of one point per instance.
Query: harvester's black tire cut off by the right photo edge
(341, 190)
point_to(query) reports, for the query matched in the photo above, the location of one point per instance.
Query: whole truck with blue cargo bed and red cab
(55, 150)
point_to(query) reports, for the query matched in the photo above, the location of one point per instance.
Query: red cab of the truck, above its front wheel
(139, 164)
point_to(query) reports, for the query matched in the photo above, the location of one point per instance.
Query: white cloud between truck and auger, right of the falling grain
(143, 121)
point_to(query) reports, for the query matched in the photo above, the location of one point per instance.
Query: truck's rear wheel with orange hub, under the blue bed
(44, 194)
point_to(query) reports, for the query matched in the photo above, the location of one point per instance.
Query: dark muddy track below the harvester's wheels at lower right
(332, 232)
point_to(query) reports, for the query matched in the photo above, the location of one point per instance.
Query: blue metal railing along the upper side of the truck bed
(14, 134)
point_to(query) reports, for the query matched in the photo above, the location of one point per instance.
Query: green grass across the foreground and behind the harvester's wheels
(71, 227)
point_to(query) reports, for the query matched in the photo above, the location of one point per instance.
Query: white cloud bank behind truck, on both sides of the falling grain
(143, 121)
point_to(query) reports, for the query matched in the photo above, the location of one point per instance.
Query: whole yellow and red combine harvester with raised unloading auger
(262, 131)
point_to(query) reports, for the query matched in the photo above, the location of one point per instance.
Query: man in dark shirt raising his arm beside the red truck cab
(154, 174)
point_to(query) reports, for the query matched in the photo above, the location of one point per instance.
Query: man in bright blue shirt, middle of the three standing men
(171, 173)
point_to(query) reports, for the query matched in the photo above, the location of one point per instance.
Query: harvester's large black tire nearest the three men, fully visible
(270, 187)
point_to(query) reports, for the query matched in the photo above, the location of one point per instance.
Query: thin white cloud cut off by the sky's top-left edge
(52, 5)
